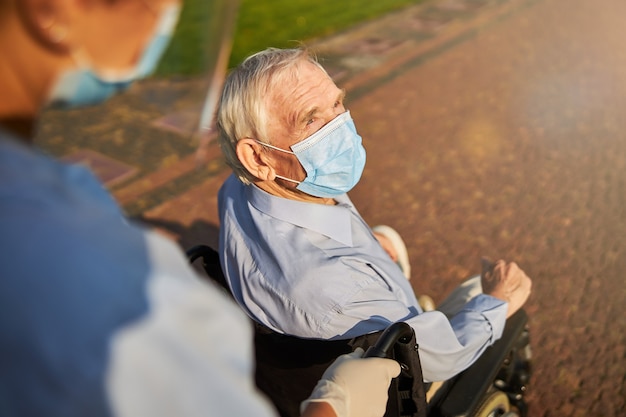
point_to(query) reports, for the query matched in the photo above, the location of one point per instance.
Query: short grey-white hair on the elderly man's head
(242, 111)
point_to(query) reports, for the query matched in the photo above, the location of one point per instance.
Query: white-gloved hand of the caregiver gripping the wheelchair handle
(354, 386)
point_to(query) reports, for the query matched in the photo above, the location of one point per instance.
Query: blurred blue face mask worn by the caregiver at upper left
(85, 85)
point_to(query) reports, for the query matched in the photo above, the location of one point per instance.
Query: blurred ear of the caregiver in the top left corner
(47, 21)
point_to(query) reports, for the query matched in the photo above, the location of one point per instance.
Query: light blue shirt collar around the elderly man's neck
(331, 221)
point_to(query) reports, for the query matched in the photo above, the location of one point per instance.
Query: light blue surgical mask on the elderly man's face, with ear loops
(333, 158)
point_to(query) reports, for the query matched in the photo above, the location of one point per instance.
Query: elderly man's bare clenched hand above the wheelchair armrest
(507, 282)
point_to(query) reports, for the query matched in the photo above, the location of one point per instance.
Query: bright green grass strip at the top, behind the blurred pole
(261, 24)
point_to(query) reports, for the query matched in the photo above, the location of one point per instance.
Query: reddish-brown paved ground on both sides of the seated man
(492, 128)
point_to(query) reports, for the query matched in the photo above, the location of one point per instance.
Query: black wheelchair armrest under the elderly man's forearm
(465, 391)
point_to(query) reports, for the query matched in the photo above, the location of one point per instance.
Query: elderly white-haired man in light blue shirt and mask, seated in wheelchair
(298, 256)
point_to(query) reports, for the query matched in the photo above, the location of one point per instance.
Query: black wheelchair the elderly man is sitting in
(288, 367)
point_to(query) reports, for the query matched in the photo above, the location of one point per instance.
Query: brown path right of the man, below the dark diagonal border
(510, 143)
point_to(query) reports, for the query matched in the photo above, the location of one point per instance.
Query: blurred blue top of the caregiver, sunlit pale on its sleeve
(100, 317)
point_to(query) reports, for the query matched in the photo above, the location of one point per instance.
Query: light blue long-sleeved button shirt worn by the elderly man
(317, 271)
